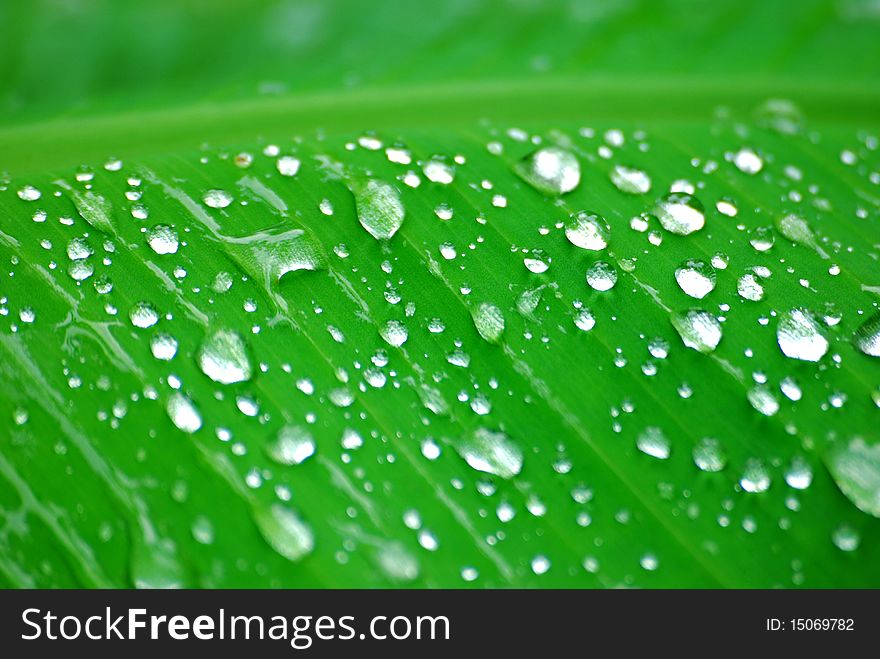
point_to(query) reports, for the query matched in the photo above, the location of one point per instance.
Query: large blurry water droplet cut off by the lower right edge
(856, 470)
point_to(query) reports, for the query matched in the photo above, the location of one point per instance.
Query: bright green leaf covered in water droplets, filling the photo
(532, 295)
